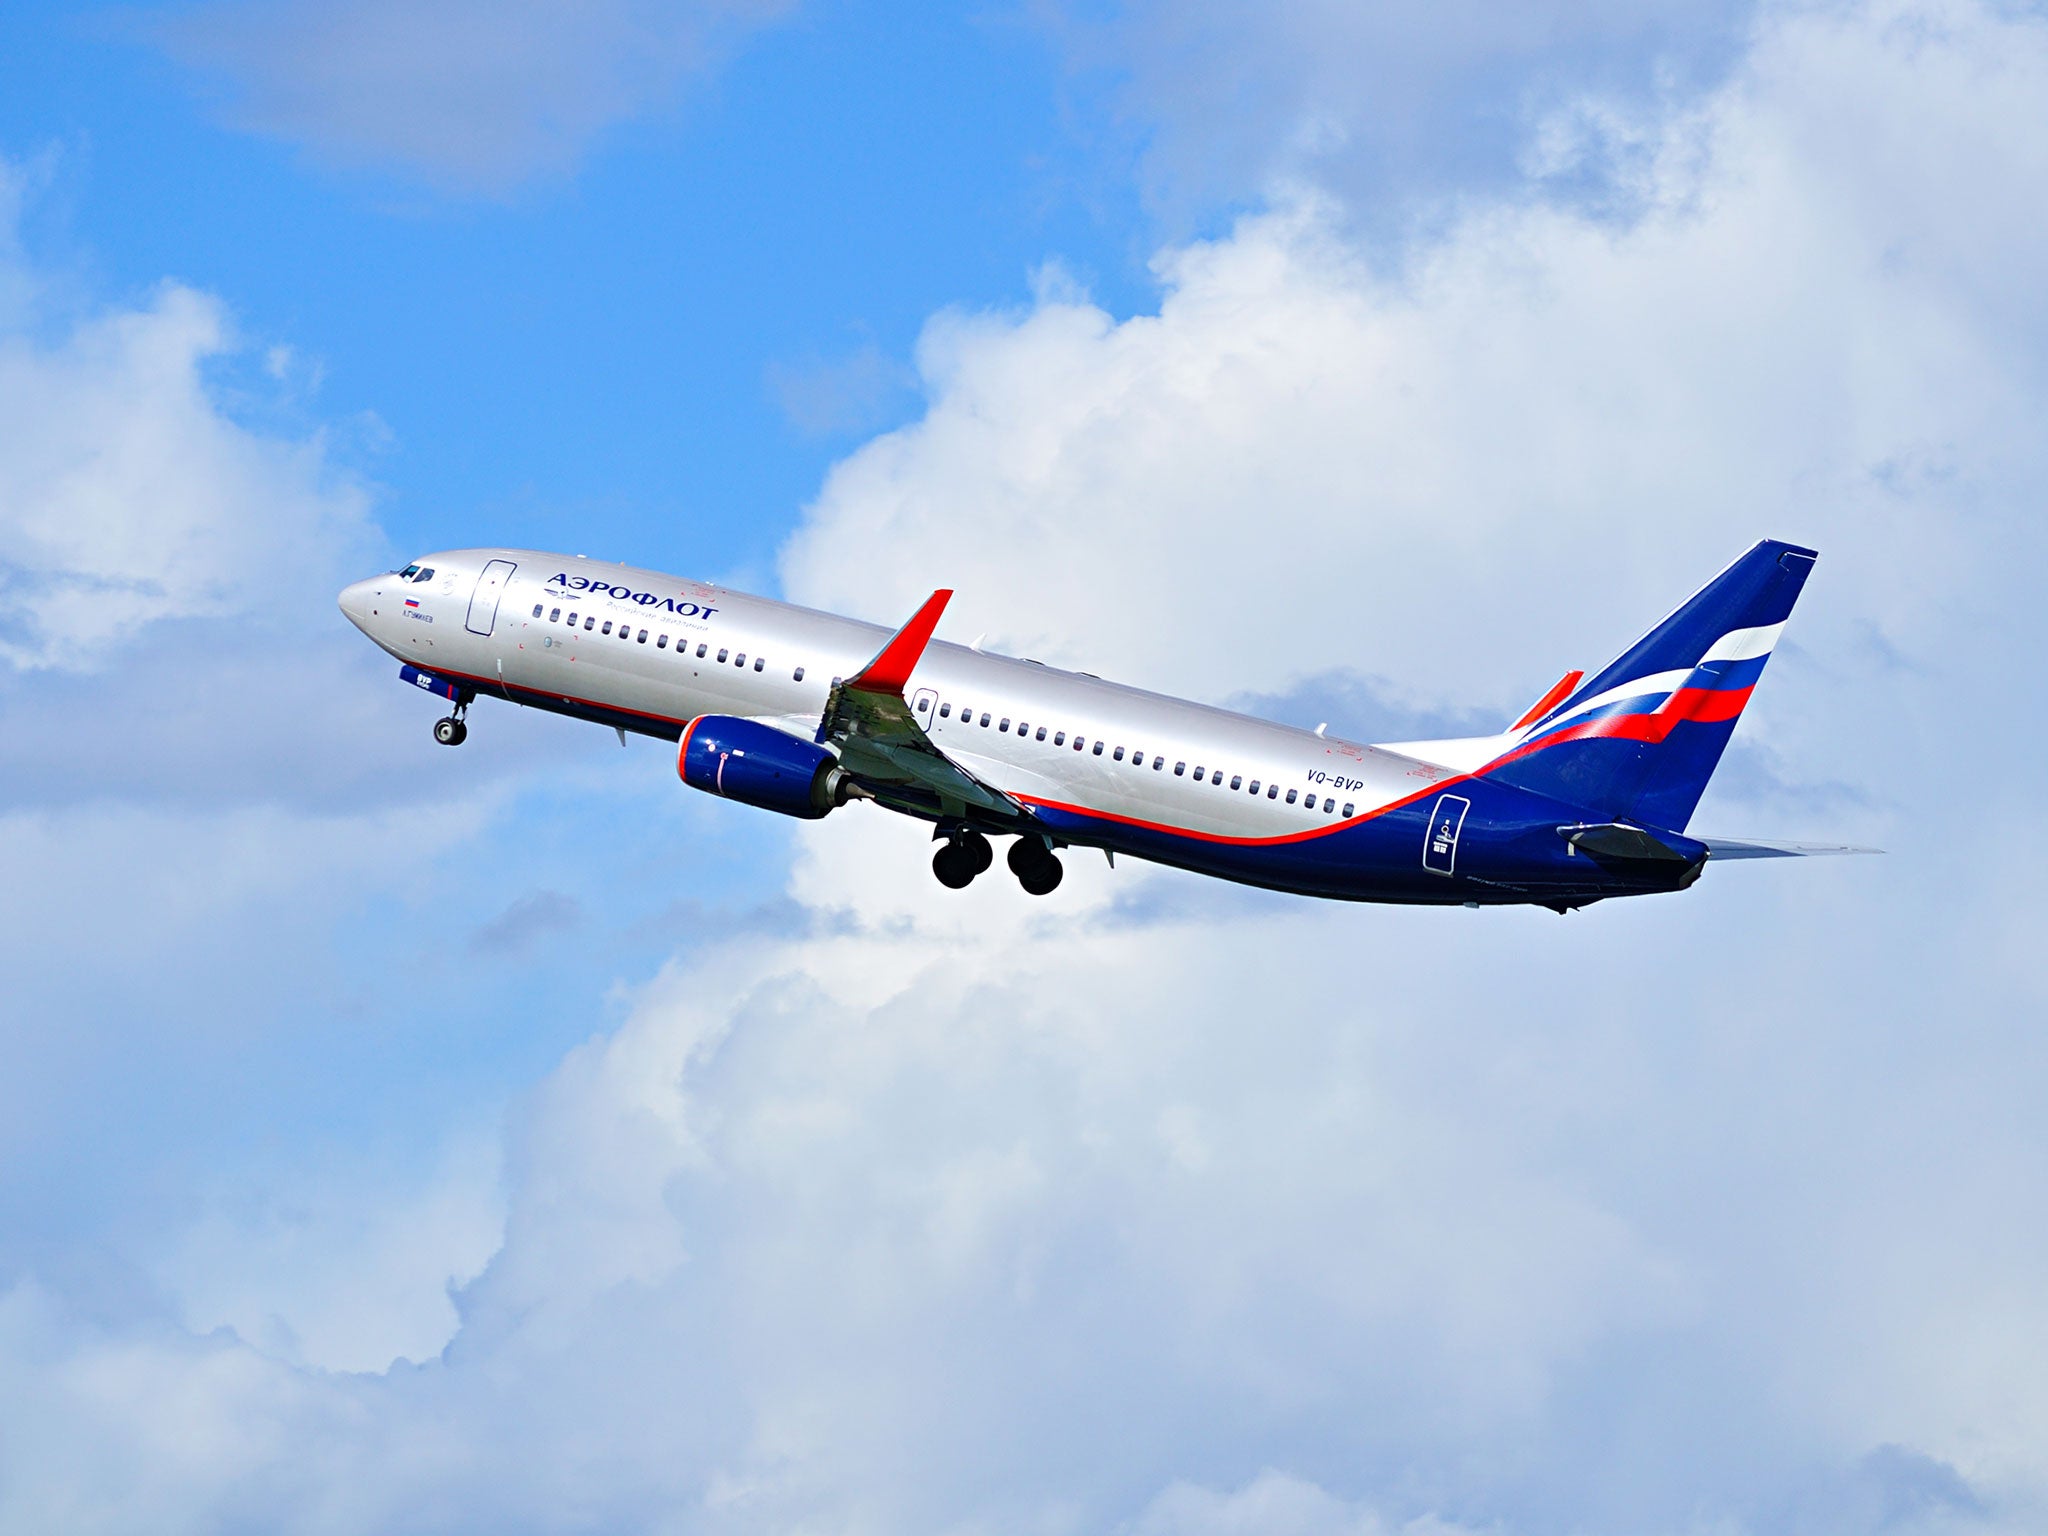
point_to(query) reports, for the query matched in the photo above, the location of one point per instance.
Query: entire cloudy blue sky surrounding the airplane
(507, 1140)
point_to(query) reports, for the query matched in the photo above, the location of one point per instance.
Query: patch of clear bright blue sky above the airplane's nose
(841, 179)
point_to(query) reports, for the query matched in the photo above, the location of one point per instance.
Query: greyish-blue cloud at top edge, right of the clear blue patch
(1385, 103)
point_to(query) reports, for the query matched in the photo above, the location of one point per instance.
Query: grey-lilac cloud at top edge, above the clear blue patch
(470, 93)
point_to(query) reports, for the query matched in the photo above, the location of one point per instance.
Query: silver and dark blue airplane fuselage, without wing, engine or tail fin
(1066, 759)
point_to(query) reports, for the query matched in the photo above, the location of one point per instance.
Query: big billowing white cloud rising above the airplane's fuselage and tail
(1547, 425)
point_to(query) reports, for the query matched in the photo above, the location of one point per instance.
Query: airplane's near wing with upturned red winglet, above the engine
(880, 740)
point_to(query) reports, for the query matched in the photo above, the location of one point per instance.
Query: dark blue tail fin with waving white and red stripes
(1641, 738)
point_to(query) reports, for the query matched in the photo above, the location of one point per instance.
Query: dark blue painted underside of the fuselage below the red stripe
(1508, 849)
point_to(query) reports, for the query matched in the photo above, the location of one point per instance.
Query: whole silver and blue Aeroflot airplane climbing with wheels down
(798, 712)
